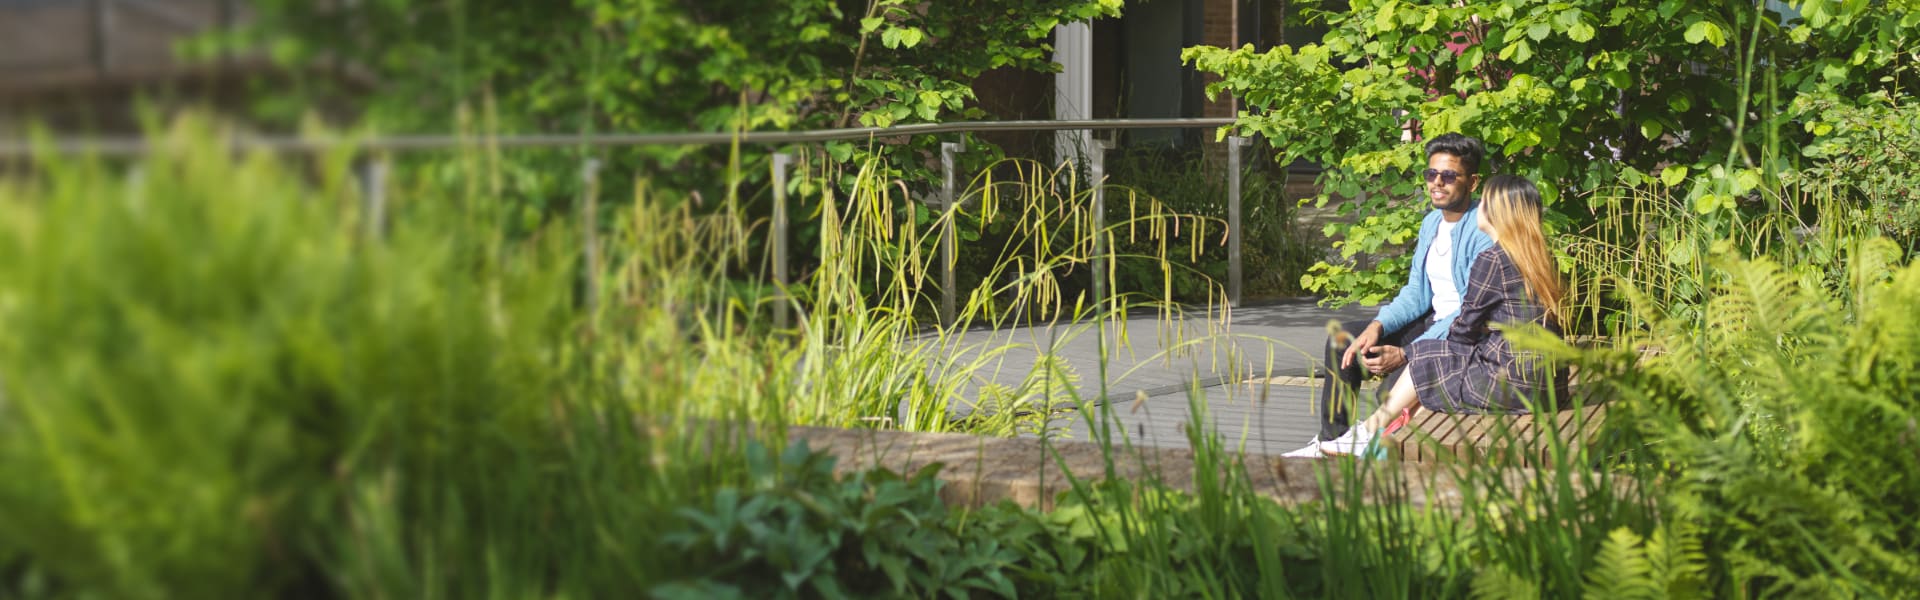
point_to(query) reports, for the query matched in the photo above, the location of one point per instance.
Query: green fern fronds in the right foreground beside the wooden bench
(1785, 414)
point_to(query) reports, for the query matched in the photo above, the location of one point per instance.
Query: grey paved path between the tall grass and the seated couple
(1245, 370)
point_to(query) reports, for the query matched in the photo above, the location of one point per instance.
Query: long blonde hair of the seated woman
(1512, 211)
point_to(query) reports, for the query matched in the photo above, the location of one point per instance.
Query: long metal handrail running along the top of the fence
(135, 147)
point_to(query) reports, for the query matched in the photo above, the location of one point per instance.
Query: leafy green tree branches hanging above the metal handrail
(665, 66)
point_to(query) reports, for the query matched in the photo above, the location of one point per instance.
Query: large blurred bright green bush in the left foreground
(212, 378)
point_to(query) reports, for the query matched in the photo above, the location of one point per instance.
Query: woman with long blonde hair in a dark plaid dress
(1476, 370)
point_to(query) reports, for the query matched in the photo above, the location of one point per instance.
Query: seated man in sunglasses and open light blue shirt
(1426, 307)
